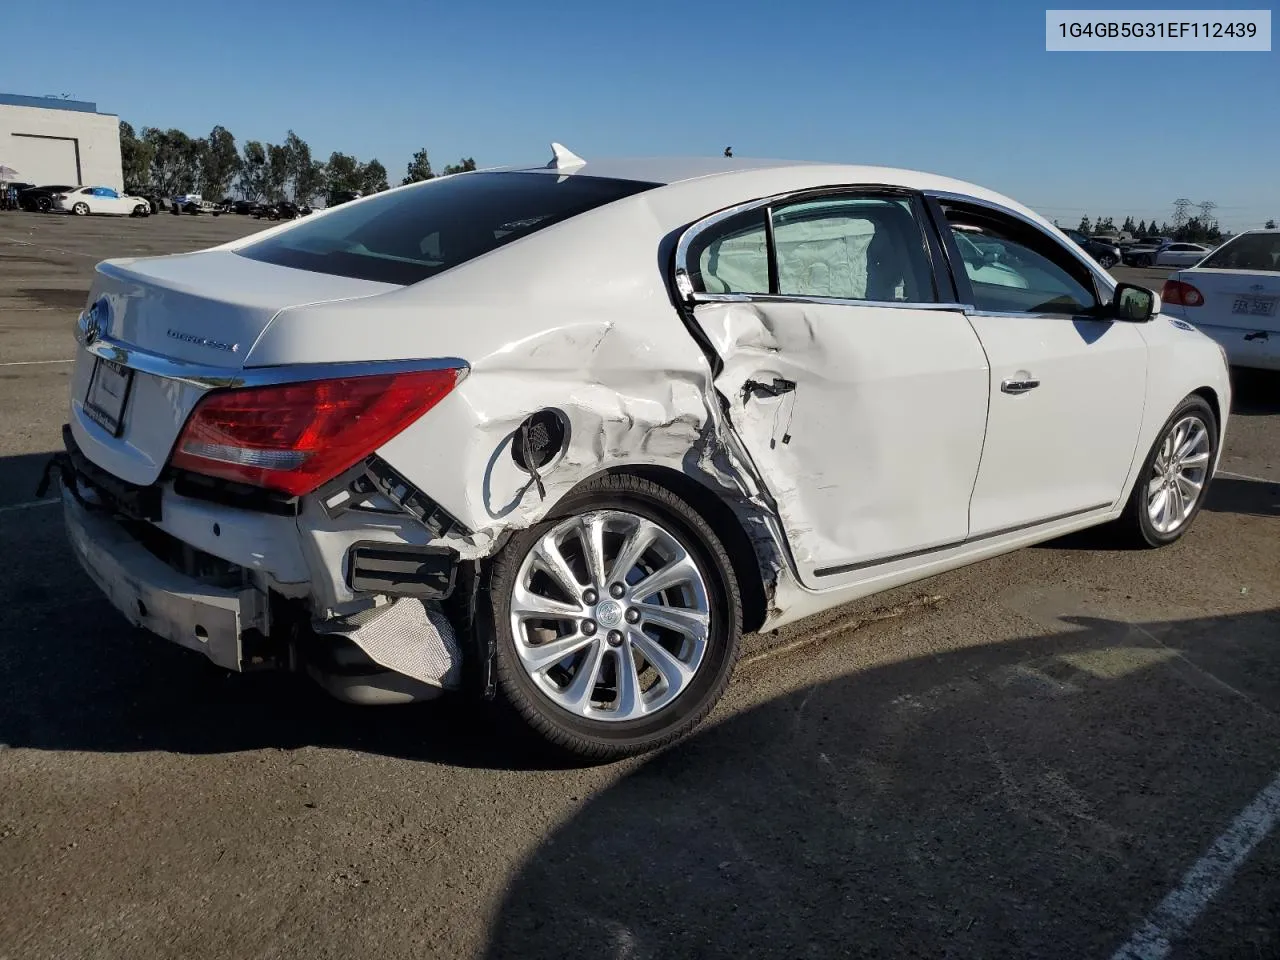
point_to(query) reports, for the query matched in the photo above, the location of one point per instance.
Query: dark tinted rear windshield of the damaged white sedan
(412, 235)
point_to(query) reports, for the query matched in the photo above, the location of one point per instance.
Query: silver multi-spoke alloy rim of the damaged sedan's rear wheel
(610, 616)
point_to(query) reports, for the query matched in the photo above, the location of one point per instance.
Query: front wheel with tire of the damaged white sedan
(1176, 477)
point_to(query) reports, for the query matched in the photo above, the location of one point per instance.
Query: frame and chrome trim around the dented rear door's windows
(684, 284)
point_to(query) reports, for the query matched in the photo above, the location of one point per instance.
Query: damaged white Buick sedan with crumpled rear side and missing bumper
(563, 435)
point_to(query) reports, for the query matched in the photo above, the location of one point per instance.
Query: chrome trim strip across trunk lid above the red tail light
(211, 378)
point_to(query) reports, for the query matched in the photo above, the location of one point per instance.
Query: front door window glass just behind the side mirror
(1016, 268)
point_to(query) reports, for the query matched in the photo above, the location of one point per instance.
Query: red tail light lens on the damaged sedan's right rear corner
(296, 437)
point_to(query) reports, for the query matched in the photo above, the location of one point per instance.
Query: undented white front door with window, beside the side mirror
(1067, 388)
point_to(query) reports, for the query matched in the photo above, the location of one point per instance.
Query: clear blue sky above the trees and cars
(966, 90)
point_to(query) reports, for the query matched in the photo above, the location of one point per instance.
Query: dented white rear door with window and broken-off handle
(854, 382)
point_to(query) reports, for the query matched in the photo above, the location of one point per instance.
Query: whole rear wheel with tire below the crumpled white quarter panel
(618, 620)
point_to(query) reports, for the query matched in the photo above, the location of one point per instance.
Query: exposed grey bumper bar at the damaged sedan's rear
(154, 596)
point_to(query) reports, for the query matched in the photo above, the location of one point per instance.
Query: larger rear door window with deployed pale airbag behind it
(853, 248)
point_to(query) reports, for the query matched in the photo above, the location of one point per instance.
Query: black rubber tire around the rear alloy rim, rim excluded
(620, 738)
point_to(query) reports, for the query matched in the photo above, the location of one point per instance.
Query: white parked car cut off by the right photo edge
(1232, 296)
